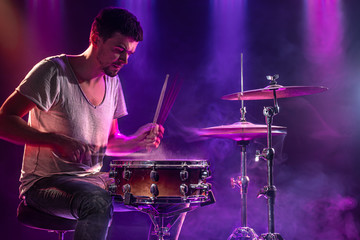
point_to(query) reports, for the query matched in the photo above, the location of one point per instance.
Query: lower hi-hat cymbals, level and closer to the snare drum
(241, 131)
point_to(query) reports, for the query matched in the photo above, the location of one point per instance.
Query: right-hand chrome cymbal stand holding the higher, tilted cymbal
(267, 154)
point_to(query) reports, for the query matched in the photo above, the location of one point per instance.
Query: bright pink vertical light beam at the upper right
(324, 36)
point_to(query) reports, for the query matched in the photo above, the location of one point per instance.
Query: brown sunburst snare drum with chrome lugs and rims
(160, 181)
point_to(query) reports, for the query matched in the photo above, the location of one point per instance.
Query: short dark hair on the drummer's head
(112, 20)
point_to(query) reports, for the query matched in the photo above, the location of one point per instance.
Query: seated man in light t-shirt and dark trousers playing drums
(73, 103)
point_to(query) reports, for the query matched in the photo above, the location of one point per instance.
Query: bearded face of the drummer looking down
(114, 53)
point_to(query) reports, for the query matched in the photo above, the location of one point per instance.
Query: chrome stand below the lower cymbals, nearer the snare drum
(243, 232)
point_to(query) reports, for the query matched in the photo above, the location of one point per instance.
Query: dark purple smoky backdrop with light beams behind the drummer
(308, 43)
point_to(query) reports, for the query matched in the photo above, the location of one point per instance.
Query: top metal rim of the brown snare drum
(166, 163)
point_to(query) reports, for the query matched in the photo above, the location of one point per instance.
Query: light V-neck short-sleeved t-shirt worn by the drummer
(62, 107)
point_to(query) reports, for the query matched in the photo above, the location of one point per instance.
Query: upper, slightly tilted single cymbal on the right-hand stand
(281, 92)
